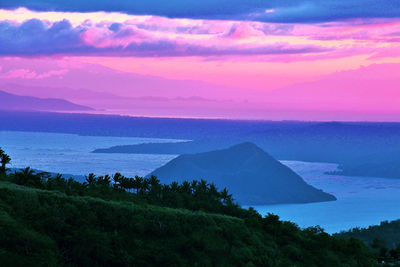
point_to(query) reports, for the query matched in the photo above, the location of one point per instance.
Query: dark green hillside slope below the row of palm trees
(45, 228)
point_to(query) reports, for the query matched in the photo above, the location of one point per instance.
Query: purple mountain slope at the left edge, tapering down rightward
(28, 103)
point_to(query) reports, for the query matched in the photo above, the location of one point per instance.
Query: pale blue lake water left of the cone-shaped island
(69, 153)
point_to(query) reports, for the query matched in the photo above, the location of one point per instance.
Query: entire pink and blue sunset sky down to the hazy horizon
(254, 59)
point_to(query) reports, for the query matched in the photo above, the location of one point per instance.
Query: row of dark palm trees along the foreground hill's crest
(195, 195)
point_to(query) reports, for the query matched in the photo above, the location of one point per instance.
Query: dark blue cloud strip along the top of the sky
(306, 11)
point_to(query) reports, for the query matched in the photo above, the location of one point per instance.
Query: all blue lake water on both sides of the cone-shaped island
(361, 201)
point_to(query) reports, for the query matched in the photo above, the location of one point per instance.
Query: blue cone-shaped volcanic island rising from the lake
(248, 172)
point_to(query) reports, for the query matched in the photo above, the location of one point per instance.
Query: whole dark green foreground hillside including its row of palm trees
(118, 221)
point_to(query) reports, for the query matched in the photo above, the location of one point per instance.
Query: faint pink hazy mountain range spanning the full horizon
(355, 97)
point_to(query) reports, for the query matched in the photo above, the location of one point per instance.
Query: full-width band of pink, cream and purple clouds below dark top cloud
(41, 33)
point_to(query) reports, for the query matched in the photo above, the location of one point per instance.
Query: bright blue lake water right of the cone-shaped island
(361, 201)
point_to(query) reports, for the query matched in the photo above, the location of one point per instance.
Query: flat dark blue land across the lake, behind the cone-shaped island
(361, 148)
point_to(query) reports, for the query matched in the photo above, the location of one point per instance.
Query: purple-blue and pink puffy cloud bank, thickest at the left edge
(36, 37)
